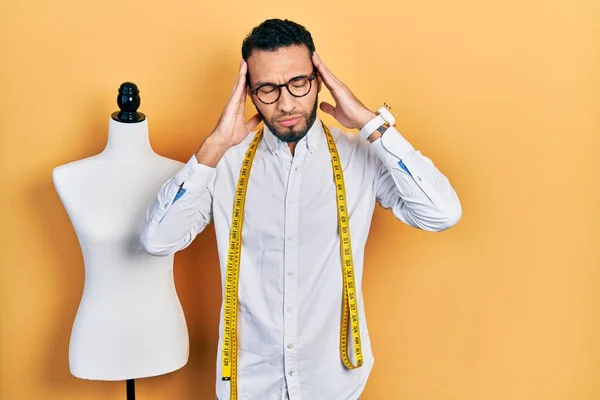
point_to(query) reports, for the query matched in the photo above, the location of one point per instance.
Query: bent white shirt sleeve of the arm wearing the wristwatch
(411, 186)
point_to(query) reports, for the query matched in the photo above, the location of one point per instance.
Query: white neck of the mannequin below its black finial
(128, 140)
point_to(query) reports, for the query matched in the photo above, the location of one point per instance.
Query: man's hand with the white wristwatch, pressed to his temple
(348, 110)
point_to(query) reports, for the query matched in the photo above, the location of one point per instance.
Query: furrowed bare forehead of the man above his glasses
(279, 66)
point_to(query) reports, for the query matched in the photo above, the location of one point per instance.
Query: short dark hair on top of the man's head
(273, 34)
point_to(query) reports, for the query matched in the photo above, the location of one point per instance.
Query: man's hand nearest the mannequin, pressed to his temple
(231, 129)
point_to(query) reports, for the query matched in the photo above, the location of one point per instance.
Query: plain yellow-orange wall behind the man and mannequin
(504, 96)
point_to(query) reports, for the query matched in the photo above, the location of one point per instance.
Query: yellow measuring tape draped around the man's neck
(349, 306)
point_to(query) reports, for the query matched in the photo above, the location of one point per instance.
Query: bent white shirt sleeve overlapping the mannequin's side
(180, 211)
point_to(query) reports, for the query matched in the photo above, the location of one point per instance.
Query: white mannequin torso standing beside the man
(130, 323)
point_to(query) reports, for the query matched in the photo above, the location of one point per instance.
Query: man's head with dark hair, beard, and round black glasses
(280, 52)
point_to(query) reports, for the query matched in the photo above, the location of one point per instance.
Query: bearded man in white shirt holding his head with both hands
(292, 280)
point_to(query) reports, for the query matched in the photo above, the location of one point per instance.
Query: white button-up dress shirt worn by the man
(290, 287)
